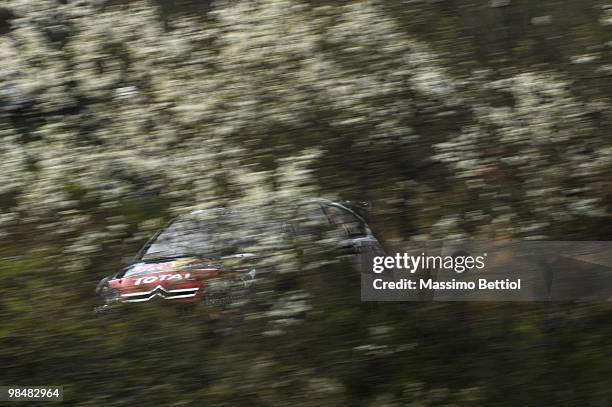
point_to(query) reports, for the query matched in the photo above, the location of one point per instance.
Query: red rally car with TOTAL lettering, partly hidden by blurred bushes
(184, 261)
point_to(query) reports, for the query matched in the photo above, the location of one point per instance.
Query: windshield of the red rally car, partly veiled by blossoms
(197, 235)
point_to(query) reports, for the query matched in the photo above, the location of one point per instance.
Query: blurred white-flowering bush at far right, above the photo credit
(524, 161)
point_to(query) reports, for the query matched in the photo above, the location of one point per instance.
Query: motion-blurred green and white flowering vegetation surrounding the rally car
(455, 118)
